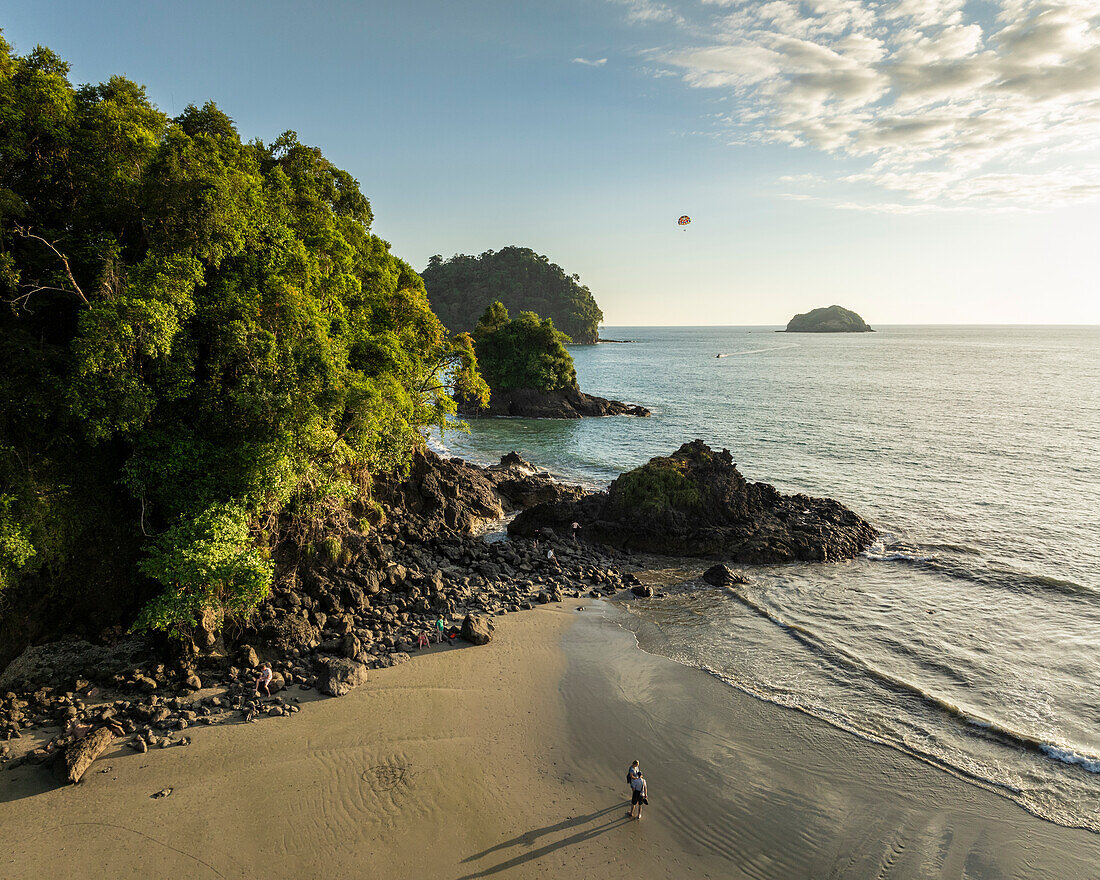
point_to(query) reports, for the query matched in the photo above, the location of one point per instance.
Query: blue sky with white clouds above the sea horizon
(917, 161)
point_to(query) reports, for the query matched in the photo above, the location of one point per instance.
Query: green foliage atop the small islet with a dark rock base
(527, 353)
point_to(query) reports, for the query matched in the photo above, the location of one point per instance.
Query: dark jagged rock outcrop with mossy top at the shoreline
(697, 503)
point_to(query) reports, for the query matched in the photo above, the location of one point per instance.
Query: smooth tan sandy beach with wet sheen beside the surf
(510, 761)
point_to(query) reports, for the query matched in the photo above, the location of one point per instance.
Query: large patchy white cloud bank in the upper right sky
(942, 107)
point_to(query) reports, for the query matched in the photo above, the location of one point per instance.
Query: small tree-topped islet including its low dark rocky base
(530, 372)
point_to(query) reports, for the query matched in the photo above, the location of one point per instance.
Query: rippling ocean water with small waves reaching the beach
(970, 636)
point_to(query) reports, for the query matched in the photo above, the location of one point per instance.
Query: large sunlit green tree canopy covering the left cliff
(201, 339)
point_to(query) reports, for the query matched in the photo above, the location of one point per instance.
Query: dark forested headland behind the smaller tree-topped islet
(461, 289)
